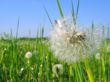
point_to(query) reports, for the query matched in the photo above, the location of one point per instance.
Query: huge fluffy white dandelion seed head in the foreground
(70, 44)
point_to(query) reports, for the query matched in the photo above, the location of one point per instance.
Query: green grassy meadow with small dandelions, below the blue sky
(32, 60)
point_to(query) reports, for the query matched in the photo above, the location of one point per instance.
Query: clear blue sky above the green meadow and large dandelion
(32, 14)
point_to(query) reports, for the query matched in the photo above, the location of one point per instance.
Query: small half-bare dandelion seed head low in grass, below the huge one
(57, 69)
